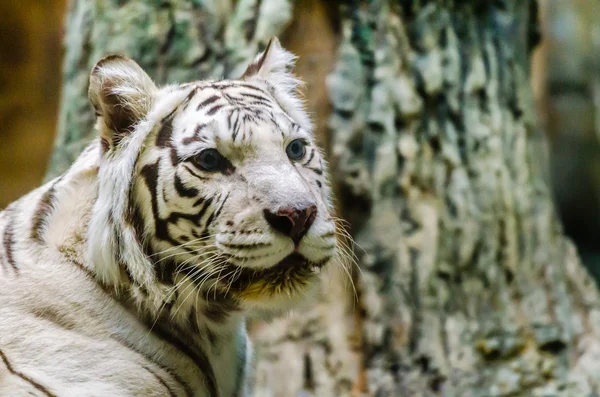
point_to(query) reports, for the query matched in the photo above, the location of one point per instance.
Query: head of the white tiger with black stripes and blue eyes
(217, 185)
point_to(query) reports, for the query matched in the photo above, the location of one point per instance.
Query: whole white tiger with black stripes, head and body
(197, 205)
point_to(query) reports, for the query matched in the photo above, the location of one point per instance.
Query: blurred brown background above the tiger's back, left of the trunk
(30, 79)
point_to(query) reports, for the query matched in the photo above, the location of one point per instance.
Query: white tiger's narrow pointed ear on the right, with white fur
(274, 66)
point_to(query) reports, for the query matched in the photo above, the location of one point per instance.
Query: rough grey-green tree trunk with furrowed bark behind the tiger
(467, 286)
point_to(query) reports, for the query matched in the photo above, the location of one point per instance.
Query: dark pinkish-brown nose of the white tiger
(292, 222)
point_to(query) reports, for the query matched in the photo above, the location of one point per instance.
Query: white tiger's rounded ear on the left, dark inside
(121, 93)
